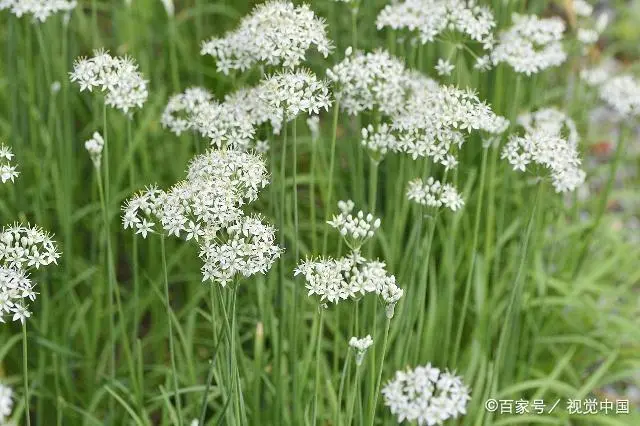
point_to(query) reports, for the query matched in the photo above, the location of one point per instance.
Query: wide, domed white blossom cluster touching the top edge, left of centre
(276, 33)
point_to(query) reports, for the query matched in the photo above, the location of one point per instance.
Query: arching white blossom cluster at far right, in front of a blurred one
(550, 151)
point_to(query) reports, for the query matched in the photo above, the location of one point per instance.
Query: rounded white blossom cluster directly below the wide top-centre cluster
(296, 92)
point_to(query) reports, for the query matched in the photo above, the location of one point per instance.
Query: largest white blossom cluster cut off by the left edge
(22, 248)
